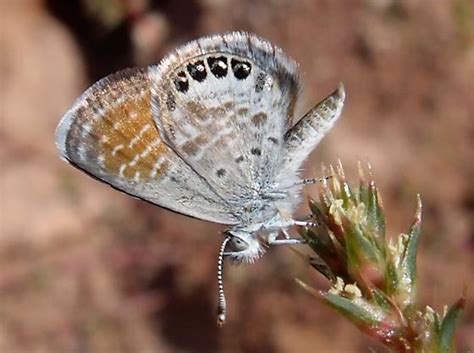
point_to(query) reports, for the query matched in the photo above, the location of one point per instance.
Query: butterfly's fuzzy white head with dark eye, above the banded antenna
(244, 247)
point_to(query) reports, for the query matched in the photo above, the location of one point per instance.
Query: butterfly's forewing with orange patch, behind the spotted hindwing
(110, 134)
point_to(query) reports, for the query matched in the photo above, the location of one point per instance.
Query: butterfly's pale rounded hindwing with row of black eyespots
(225, 109)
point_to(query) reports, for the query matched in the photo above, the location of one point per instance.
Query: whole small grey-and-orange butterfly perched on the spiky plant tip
(206, 133)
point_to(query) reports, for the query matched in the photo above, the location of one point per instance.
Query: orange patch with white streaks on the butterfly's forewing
(130, 140)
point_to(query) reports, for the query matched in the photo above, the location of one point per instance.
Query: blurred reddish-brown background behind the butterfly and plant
(87, 269)
